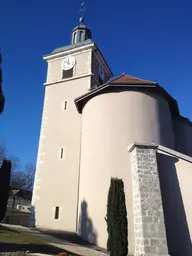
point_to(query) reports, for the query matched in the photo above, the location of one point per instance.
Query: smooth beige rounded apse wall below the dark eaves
(110, 123)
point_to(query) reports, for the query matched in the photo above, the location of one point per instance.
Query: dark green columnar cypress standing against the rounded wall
(116, 219)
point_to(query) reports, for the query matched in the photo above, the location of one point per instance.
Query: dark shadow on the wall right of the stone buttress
(178, 236)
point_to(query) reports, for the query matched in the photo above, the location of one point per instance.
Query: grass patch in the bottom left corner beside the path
(11, 241)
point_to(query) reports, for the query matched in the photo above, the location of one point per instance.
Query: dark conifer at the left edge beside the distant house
(5, 175)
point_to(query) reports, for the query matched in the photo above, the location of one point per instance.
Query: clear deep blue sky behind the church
(147, 39)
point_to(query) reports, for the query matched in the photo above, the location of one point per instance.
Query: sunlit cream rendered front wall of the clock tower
(56, 180)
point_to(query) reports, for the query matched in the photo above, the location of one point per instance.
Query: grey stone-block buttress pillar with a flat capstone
(149, 225)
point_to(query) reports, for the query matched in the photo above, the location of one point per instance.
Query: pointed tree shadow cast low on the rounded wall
(85, 227)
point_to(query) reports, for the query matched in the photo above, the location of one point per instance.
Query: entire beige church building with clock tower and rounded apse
(94, 128)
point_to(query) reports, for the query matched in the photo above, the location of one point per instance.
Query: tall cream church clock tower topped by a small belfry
(72, 71)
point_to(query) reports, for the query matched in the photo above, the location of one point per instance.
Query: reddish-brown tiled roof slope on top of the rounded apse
(125, 79)
